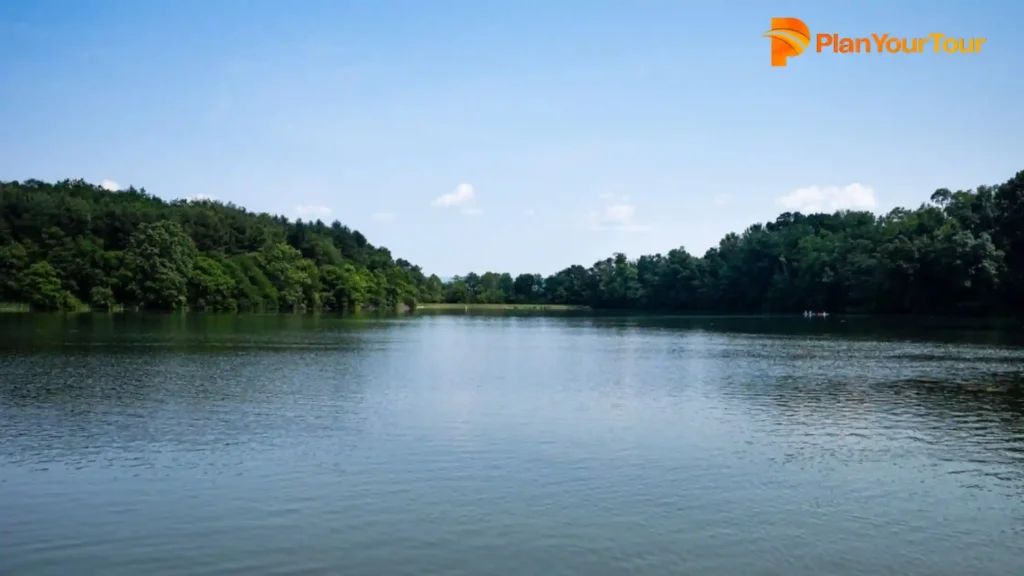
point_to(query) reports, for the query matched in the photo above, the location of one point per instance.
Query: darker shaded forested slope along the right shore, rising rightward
(962, 253)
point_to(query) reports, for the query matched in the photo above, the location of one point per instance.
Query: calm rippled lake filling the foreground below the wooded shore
(509, 445)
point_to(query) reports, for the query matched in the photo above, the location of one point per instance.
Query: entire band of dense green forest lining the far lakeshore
(71, 244)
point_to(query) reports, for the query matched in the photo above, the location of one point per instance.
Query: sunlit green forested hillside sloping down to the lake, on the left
(72, 243)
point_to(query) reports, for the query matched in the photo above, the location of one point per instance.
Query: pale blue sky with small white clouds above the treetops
(520, 137)
